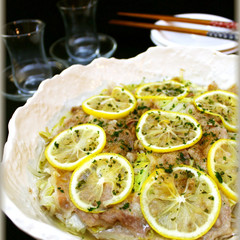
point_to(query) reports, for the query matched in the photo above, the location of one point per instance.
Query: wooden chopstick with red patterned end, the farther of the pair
(230, 25)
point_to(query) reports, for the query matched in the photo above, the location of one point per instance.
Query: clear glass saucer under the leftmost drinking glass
(10, 90)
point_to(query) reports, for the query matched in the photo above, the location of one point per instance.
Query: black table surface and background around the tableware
(130, 41)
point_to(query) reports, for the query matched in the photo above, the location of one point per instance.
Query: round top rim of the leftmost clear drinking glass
(40, 23)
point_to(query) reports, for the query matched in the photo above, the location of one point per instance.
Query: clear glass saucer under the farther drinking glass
(108, 46)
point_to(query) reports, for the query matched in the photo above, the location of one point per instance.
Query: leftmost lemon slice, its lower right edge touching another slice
(73, 145)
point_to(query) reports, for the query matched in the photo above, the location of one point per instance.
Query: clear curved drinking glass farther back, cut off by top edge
(81, 37)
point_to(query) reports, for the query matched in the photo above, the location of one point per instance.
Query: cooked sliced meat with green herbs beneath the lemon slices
(126, 218)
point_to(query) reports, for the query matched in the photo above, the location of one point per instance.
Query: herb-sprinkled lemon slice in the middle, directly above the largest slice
(163, 131)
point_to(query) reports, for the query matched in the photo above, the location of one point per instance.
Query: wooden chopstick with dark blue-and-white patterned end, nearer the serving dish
(223, 35)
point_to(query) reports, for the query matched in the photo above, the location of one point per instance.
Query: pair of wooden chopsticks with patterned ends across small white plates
(223, 35)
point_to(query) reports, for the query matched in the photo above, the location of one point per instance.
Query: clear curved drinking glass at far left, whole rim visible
(24, 42)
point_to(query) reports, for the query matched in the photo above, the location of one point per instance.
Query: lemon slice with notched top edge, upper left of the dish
(118, 105)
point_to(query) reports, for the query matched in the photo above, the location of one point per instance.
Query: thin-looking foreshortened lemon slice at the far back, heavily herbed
(162, 90)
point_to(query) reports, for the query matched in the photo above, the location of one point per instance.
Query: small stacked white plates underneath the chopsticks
(167, 38)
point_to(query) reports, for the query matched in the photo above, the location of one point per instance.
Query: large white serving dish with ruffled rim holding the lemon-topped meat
(57, 95)
